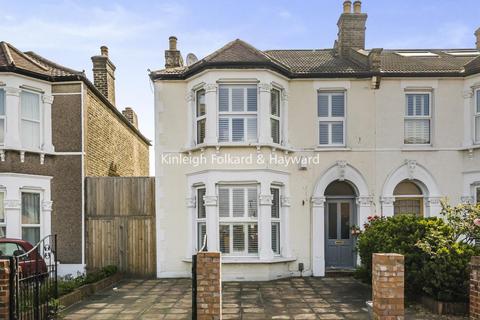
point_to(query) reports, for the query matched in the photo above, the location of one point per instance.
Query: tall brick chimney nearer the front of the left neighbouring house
(104, 74)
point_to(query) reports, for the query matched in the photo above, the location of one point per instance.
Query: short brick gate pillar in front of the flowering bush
(388, 286)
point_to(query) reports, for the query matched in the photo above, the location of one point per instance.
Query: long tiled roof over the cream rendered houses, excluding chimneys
(326, 63)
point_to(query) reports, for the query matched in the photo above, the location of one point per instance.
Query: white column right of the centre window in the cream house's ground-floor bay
(265, 223)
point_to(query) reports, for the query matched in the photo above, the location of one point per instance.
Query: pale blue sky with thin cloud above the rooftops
(136, 32)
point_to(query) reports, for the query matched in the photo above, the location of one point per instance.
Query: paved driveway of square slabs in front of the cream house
(296, 298)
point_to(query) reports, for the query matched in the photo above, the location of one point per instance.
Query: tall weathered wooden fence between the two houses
(120, 224)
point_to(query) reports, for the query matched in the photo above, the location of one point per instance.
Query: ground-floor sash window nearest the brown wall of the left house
(31, 217)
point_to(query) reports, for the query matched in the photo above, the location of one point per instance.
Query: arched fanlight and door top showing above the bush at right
(408, 199)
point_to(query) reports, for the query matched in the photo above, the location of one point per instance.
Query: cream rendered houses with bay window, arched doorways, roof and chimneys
(366, 130)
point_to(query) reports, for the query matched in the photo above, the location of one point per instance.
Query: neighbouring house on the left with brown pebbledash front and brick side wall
(56, 128)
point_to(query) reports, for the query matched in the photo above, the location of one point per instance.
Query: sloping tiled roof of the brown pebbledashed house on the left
(33, 65)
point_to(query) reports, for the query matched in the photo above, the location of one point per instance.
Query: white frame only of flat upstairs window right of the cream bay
(331, 119)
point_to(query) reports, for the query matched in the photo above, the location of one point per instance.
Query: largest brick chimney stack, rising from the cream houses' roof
(351, 28)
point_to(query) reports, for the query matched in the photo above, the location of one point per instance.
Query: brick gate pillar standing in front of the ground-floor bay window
(209, 286)
